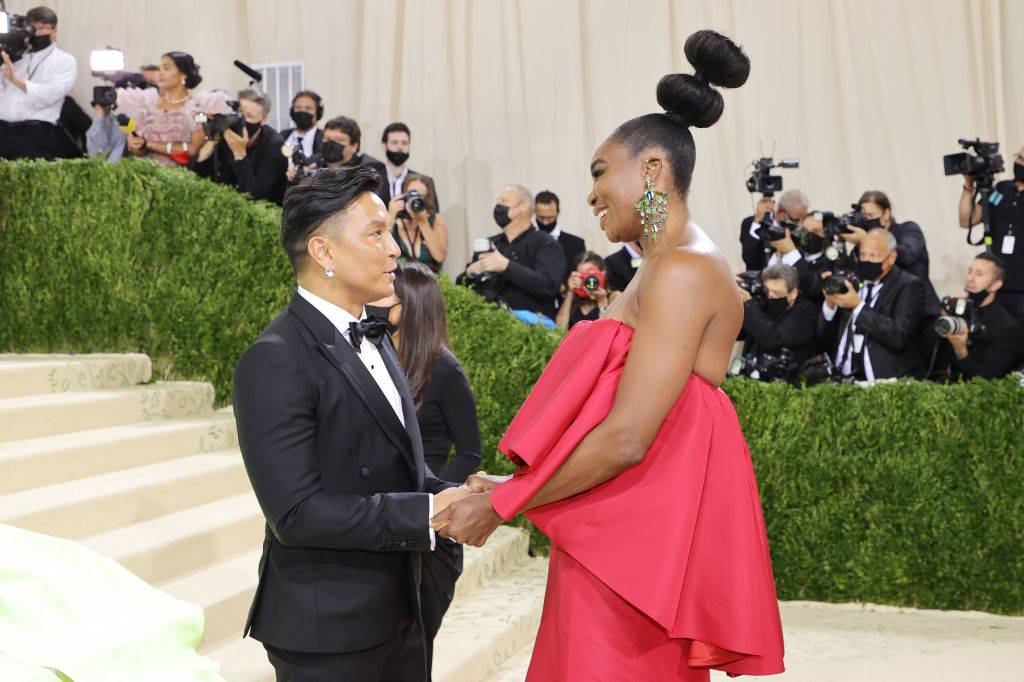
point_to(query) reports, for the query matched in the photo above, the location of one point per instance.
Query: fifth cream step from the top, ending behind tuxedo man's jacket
(172, 546)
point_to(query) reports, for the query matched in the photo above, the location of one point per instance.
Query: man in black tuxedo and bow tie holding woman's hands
(329, 437)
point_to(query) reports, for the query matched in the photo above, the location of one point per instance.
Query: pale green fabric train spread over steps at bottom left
(69, 614)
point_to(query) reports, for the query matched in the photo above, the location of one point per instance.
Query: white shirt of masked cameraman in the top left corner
(50, 76)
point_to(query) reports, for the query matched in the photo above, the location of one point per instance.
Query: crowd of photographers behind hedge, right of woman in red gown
(847, 299)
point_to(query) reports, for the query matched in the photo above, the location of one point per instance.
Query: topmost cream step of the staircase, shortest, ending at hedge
(37, 375)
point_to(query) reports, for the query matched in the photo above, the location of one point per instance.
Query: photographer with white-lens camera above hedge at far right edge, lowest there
(988, 343)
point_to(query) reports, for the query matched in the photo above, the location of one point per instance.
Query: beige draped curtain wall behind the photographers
(868, 95)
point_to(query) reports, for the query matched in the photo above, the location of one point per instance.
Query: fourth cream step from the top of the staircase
(90, 506)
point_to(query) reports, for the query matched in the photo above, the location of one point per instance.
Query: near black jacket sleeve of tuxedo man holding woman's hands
(276, 410)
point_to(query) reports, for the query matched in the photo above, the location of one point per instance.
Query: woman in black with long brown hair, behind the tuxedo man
(447, 414)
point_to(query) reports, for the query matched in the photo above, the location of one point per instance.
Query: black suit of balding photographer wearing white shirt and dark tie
(889, 327)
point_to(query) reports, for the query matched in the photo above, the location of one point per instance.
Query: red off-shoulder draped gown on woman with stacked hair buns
(662, 573)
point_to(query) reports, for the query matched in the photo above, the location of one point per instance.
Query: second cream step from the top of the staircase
(34, 416)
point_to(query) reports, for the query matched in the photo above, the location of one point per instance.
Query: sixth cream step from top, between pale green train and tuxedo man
(225, 591)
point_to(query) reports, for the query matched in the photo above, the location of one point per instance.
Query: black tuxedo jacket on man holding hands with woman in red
(342, 483)
